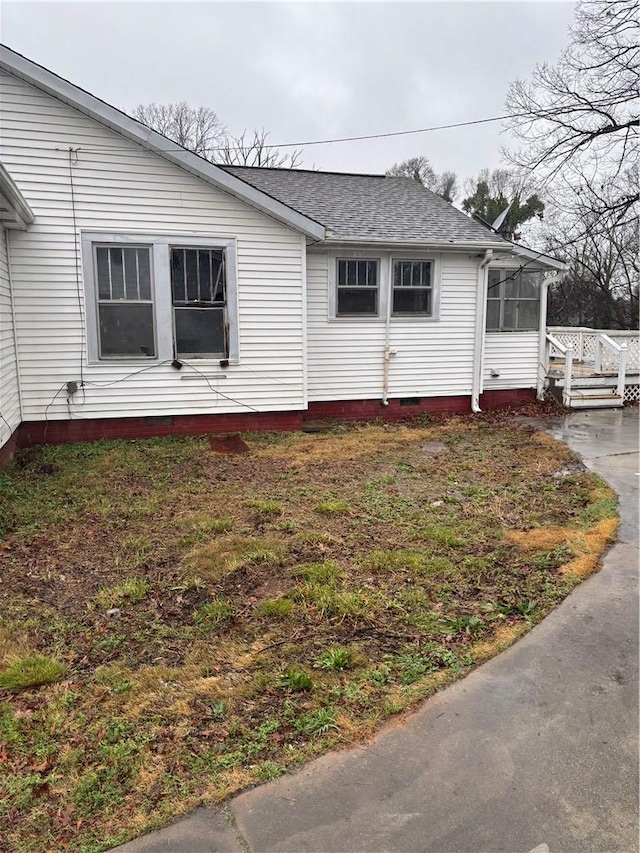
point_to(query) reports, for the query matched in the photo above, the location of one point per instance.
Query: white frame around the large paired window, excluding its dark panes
(161, 245)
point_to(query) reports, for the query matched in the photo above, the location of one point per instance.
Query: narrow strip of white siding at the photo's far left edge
(9, 394)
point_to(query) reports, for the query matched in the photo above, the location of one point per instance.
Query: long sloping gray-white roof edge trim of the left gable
(23, 68)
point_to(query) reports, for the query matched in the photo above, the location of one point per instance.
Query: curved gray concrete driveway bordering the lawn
(535, 750)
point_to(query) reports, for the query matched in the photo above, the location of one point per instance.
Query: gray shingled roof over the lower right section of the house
(368, 206)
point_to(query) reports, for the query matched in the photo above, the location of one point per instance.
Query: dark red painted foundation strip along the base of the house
(61, 432)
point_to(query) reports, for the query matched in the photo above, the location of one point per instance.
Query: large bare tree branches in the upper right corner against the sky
(579, 116)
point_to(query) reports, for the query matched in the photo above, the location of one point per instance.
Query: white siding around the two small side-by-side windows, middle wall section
(434, 356)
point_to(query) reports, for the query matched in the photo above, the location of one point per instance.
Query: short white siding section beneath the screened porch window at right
(514, 356)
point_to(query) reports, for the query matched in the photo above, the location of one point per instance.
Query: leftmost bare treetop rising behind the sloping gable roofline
(196, 128)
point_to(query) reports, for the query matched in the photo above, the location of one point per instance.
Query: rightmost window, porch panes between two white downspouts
(513, 300)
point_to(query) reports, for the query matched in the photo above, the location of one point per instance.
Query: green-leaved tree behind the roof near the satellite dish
(503, 191)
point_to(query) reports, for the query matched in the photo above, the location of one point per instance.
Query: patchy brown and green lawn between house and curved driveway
(264, 607)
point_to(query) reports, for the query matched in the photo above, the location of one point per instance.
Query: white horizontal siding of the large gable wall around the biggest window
(121, 188)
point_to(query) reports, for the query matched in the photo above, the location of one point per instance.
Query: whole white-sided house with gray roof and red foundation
(145, 290)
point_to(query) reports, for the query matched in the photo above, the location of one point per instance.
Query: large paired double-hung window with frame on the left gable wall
(160, 297)
